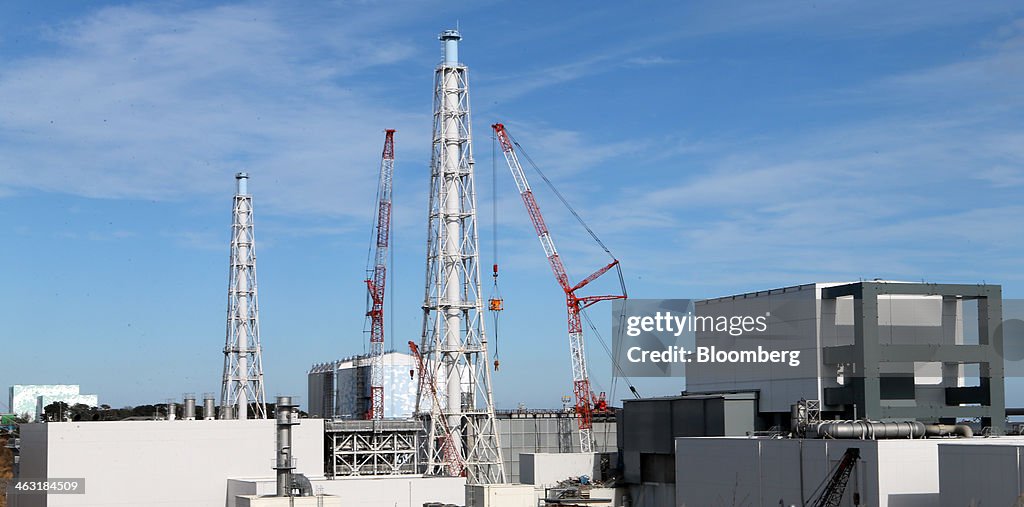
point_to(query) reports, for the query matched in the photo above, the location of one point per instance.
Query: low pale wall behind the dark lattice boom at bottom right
(764, 473)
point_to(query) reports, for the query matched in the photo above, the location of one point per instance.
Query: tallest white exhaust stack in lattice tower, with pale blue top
(454, 341)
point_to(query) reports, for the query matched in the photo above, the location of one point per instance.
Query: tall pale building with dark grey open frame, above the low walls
(882, 351)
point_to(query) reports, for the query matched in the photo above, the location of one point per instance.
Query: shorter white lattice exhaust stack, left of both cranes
(242, 385)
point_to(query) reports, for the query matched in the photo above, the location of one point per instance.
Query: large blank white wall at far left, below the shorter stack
(165, 463)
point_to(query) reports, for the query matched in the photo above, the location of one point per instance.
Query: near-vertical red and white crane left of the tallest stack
(378, 278)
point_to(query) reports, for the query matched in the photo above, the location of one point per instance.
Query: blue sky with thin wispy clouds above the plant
(716, 148)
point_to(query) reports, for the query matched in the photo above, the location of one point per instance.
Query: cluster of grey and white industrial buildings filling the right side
(923, 354)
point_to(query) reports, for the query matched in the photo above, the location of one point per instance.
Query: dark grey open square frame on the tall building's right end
(872, 389)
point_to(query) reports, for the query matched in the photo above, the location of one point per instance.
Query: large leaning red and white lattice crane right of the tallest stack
(586, 402)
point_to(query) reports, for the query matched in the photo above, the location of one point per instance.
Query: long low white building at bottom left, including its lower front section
(197, 464)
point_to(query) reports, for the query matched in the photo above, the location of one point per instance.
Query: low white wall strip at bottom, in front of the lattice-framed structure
(382, 492)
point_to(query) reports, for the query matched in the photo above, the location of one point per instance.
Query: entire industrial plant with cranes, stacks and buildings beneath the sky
(900, 401)
